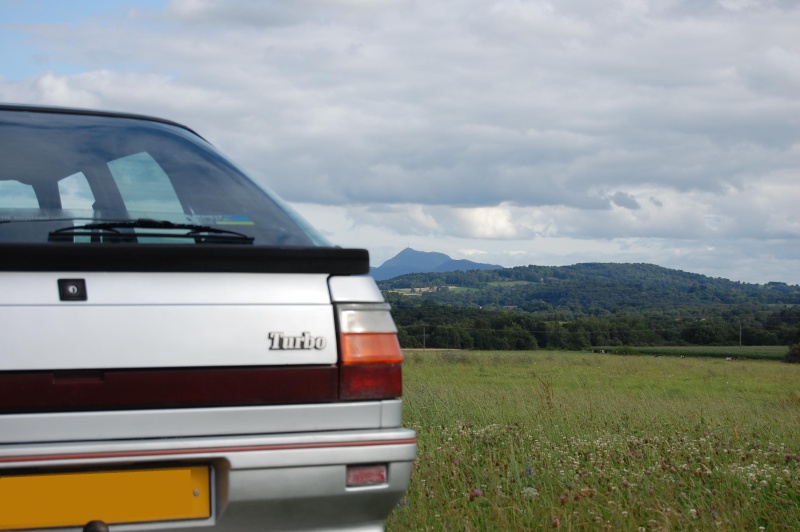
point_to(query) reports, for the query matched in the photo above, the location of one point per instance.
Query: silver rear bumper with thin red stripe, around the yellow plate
(273, 482)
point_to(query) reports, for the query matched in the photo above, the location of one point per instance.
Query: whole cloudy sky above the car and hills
(508, 132)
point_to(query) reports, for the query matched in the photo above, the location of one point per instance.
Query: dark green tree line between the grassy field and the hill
(432, 325)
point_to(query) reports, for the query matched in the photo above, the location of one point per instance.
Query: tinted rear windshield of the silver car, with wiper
(81, 178)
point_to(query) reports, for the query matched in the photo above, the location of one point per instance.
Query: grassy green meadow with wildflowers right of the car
(582, 441)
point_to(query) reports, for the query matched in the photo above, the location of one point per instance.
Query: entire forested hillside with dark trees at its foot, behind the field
(586, 305)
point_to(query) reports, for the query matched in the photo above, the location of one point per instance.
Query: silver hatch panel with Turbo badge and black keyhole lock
(197, 319)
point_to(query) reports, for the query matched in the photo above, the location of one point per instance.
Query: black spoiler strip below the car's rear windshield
(227, 258)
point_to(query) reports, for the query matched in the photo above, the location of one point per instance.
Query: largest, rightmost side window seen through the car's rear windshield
(144, 186)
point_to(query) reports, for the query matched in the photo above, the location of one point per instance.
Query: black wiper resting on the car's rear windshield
(110, 231)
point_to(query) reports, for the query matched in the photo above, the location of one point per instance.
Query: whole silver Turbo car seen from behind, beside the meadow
(178, 349)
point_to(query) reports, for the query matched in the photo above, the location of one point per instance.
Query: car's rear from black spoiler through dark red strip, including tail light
(99, 335)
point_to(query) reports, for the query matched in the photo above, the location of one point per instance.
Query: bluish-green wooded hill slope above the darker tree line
(593, 288)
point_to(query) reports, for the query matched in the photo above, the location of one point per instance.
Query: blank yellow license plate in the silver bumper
(74, 499)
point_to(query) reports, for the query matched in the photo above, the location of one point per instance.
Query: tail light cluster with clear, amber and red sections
(370, 354)
